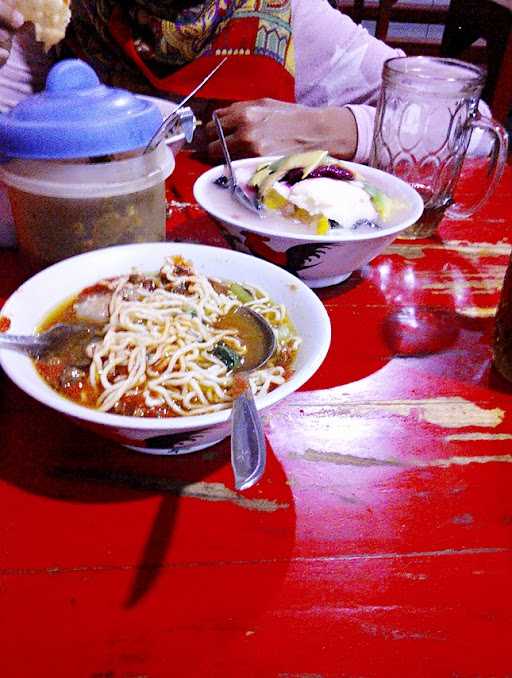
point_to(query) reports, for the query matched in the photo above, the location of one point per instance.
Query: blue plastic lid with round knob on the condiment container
(77, 117)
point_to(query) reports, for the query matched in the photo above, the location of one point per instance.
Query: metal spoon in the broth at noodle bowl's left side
(53, 340)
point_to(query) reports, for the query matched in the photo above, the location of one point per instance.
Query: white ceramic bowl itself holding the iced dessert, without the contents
(318, 260)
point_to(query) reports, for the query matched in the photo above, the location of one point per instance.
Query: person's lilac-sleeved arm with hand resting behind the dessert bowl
(338, 78)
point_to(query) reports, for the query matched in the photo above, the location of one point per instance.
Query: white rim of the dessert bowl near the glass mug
(207, 178)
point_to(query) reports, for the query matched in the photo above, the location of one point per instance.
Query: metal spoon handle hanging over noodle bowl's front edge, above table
(248, 449)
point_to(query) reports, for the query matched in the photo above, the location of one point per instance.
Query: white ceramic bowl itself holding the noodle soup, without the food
(31, 302)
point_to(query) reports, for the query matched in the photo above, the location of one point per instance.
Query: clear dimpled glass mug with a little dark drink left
(427, 111)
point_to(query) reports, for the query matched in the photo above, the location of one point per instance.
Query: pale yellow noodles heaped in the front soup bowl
(160, 336)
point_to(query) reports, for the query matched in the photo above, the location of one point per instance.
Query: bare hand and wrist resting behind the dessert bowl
(270, 127)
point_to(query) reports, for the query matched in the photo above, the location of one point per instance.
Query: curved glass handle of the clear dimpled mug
(495, 169)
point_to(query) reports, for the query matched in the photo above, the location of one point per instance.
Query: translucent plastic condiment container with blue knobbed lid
(74, 167)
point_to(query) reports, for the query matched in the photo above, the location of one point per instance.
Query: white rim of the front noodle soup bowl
(35, 386)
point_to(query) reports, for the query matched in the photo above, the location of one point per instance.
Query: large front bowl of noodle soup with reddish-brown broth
(157, 376)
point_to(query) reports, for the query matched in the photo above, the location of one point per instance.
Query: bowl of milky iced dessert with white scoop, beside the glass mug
(320, 260)
